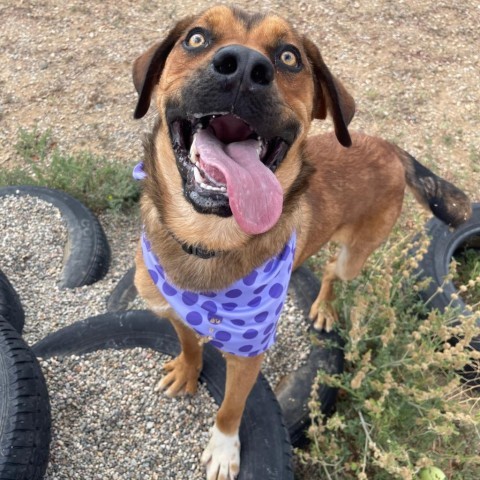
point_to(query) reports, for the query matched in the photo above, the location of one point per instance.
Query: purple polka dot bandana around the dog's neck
(241, 319)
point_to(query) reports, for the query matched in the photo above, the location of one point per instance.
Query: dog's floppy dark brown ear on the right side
(330, 95)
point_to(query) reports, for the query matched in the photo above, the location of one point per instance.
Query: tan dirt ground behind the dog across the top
(413, 68)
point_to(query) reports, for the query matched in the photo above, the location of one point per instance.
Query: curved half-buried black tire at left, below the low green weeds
(87, 253)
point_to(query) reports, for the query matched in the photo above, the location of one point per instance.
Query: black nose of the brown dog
(242, 65)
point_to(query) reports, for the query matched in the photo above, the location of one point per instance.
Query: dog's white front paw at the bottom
(222, 456)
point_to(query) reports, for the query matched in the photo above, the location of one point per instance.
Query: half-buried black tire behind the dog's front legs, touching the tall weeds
(294, 392)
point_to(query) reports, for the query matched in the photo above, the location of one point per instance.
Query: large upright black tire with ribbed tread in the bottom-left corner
(24, 410)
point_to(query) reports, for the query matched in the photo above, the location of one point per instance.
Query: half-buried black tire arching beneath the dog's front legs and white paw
(266, 450)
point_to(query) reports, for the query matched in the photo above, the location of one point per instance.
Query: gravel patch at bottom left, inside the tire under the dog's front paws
(108, 422)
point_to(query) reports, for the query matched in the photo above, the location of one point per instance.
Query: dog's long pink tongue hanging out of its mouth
(255, 196)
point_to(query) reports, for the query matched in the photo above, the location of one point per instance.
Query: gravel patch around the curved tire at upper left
(32, 255)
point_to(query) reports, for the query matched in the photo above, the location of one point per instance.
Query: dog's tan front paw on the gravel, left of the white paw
(182, 377)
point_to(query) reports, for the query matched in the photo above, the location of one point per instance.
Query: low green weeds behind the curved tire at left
(97, 182)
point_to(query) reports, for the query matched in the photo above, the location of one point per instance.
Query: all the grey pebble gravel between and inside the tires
(107, 420)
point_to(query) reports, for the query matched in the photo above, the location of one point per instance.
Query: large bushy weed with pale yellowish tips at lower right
(403, 405)
